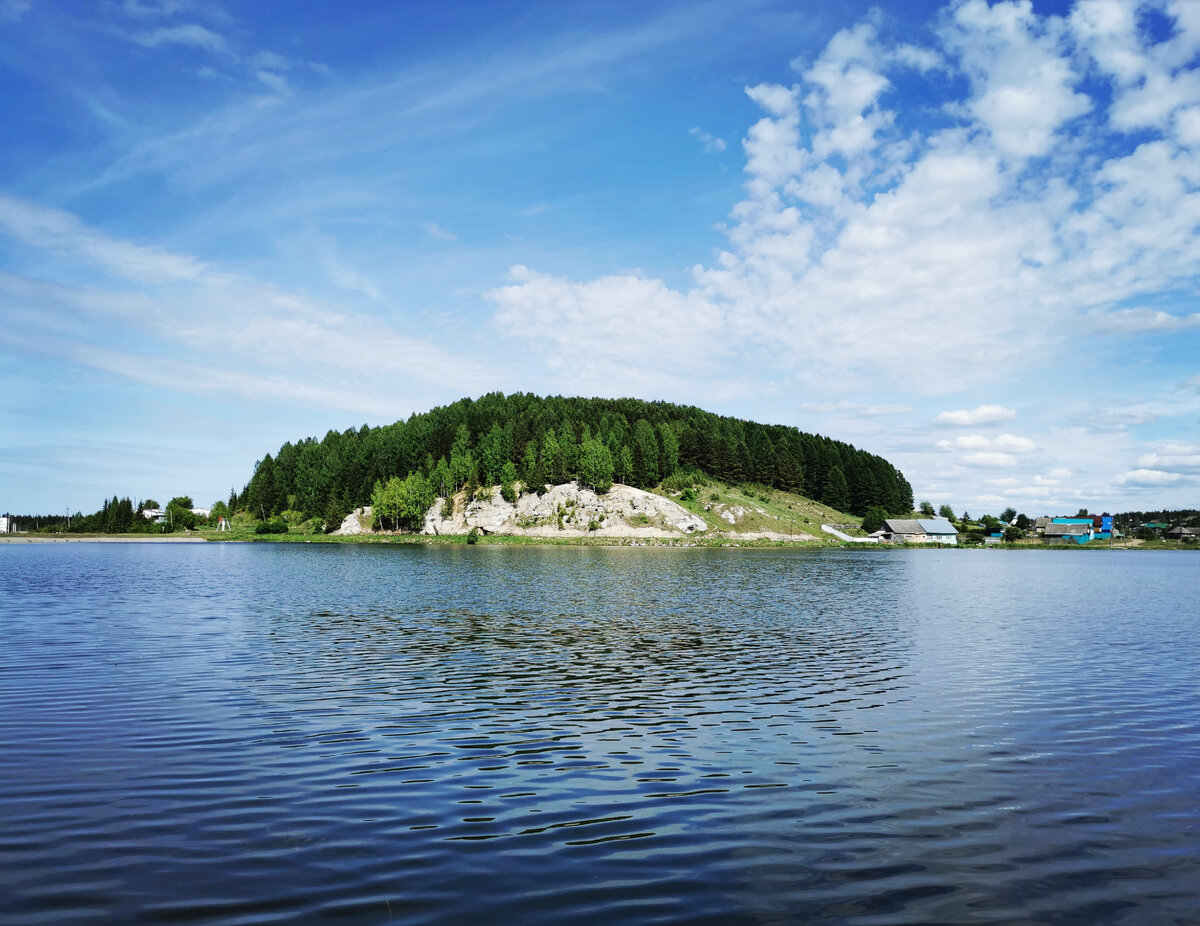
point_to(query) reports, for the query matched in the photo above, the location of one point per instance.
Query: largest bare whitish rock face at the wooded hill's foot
(568, 512)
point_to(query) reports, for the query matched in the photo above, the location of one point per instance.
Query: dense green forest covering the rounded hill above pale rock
(538, 441)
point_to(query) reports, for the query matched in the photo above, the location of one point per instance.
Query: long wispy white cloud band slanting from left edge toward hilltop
(200, 329)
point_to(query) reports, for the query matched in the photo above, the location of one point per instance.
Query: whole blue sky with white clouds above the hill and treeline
(964, 237)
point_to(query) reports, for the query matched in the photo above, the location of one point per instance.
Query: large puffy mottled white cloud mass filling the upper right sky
(891, 245)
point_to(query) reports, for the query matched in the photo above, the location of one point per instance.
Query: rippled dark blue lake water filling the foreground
(269, 733)
